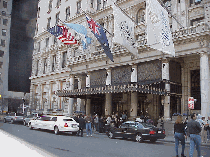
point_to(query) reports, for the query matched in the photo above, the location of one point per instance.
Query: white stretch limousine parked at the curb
(55, 123)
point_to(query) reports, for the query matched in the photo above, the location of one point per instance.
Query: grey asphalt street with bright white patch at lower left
(21, 140)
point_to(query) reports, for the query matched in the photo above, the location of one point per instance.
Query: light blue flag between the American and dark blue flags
(80, 29)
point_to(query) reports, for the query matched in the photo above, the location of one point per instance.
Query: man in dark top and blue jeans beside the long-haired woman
(194, 129)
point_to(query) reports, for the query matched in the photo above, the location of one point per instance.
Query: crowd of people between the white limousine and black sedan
(95, 123)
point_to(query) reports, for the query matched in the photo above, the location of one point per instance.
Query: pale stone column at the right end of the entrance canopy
(165, 76)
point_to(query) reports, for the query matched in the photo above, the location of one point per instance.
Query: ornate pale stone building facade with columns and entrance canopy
(152, 83)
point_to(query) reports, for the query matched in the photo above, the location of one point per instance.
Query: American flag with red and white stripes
(62, 34)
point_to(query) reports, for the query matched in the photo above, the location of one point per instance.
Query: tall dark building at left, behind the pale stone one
(23, 23)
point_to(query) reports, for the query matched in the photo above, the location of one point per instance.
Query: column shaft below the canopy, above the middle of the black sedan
(134, 104)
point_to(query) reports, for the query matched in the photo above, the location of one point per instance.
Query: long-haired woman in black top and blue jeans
(179, 135)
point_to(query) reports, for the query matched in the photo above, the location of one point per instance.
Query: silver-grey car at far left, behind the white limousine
(14, 118)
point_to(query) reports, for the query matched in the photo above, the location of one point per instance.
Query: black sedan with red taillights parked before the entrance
(137, 131)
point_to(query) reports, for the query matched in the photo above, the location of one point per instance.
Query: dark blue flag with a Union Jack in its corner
(99, 33)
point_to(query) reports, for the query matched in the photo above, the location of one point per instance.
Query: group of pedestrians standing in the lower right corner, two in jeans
(197, 129)
